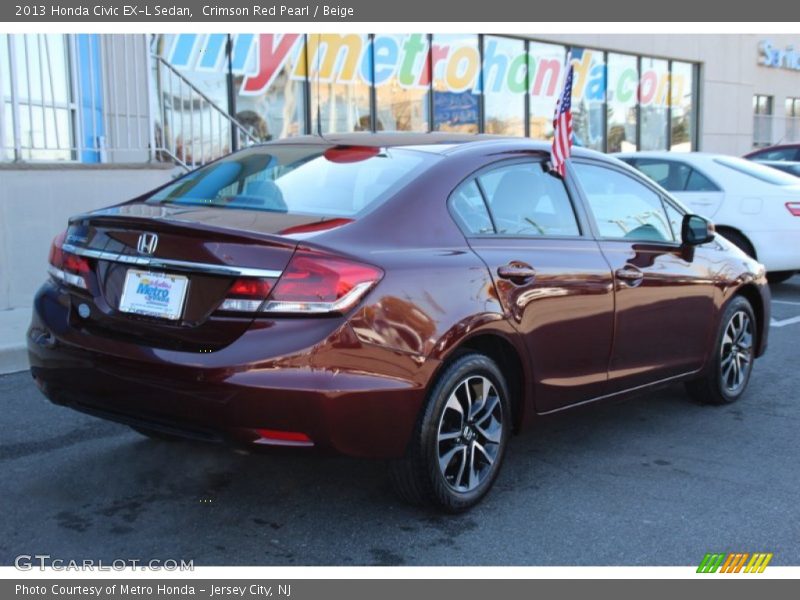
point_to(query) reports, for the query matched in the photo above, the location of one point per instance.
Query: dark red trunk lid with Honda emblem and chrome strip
(210, 248)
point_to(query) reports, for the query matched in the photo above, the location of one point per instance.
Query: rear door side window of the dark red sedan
(526, 201)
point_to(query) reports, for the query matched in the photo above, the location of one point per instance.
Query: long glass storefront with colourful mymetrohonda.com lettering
(620, 102)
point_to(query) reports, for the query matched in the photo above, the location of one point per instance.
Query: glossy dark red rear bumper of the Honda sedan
(322, 391)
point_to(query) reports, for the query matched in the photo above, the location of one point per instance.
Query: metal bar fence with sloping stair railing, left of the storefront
(94, 98)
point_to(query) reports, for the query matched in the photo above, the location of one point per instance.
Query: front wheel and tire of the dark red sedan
(725, 379)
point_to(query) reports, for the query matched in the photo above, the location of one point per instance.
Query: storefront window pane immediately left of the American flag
(546, 65)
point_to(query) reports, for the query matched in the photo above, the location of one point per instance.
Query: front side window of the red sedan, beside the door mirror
(622, 207)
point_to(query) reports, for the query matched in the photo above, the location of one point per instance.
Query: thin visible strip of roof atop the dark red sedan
(437, 141)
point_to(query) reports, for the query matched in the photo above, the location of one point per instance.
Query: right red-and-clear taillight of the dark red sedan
(317, 283)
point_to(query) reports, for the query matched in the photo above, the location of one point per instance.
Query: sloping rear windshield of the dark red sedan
(299, 179)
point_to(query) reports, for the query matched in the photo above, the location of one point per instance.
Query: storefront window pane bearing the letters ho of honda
(504, 83)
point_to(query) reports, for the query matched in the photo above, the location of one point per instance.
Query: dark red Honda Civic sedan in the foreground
(410, 297)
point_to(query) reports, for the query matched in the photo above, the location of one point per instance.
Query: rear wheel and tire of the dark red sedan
(445, 434)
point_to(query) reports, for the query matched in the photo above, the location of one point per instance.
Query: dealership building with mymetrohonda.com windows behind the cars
(88, 120)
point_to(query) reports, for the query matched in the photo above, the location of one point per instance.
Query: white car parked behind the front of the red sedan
(754, 206)
